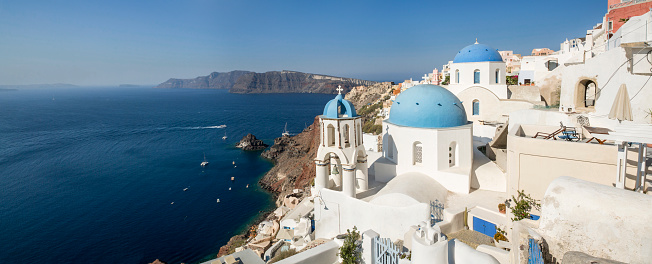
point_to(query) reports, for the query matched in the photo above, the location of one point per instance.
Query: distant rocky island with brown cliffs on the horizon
(268, 82)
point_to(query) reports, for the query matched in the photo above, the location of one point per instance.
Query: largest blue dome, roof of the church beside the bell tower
(427, 106)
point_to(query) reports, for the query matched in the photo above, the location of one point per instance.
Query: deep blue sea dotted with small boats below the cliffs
(89, 175)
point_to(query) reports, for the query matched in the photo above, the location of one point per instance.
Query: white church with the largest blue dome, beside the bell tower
(427, 132)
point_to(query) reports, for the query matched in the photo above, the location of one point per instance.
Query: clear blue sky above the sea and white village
(147, 42)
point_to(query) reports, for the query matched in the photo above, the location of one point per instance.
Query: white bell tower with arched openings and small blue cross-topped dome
(341, 162)
